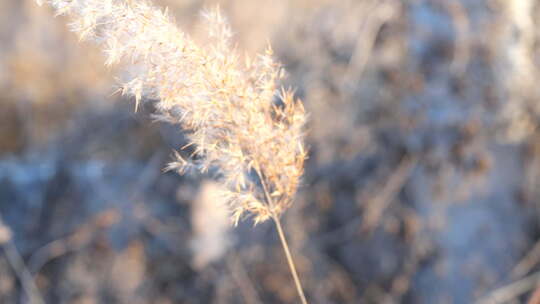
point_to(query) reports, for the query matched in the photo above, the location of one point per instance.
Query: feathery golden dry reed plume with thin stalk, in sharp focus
(228, 105)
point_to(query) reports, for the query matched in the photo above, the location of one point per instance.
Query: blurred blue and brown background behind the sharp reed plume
(422, 186)
